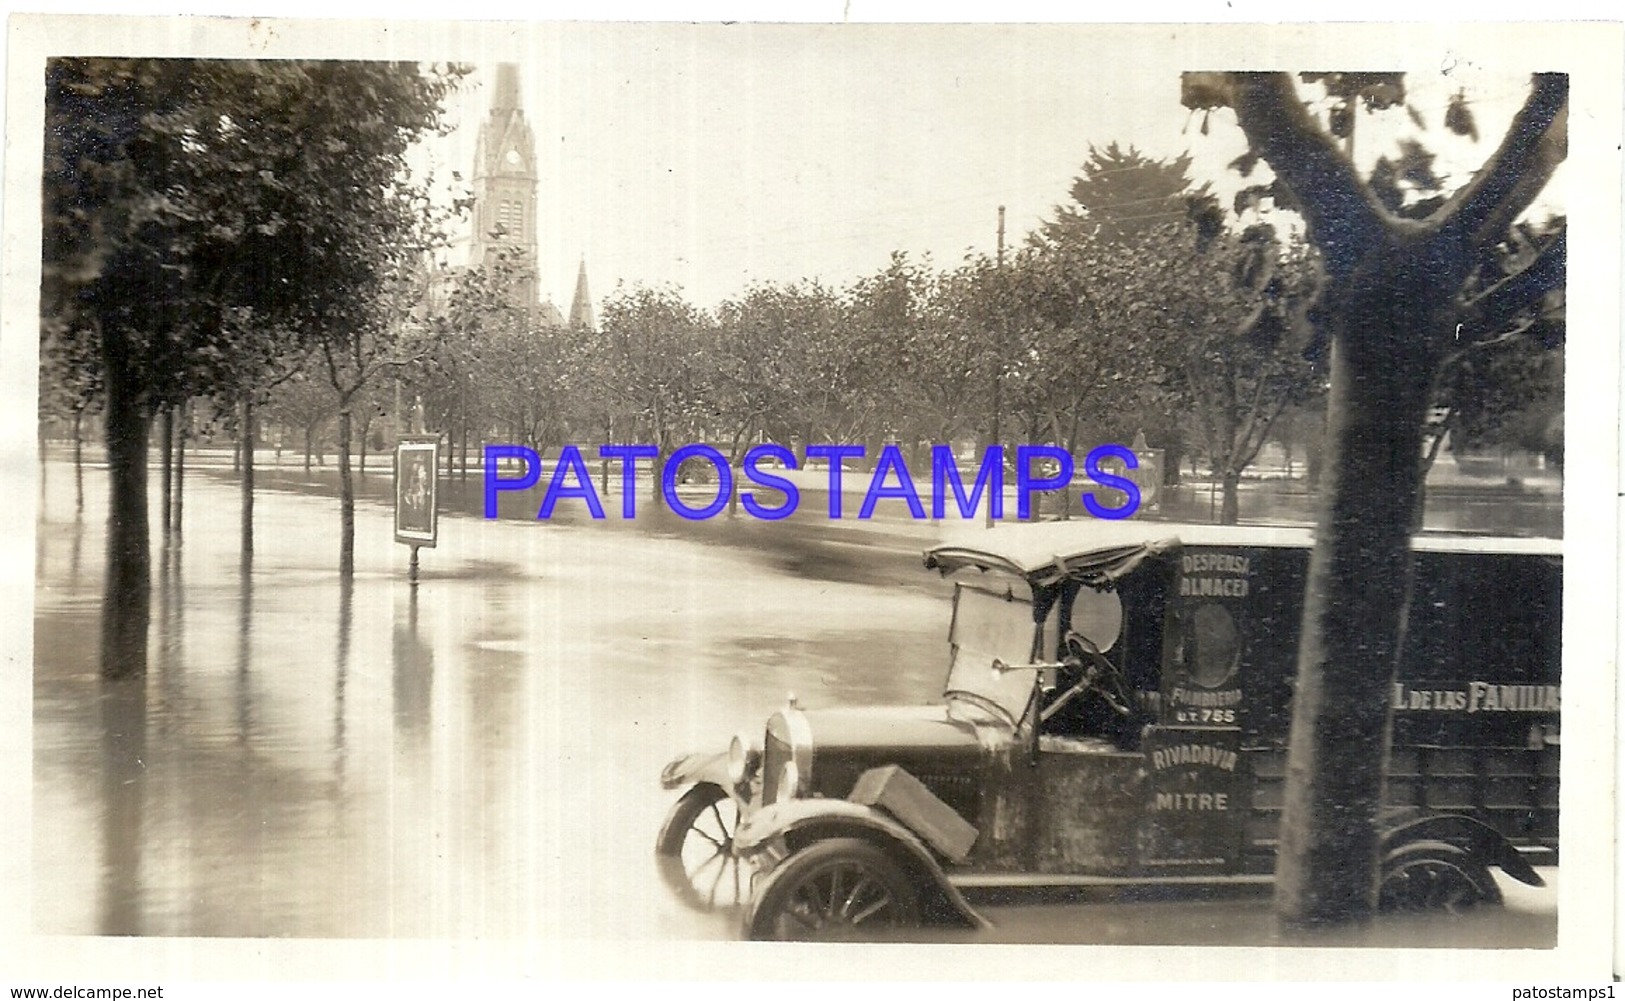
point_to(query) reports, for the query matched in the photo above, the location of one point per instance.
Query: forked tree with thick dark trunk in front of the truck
(1392, 305)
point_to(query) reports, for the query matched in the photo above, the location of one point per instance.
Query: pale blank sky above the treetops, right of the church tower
(713, 157)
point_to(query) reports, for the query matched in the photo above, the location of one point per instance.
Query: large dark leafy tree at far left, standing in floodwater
(194, 209)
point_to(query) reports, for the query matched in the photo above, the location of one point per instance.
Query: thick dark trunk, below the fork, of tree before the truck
(1359, 586)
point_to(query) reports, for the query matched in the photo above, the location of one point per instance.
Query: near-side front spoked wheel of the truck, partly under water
(839, 890)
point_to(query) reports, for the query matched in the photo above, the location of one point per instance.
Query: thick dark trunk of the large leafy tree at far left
(128, 591)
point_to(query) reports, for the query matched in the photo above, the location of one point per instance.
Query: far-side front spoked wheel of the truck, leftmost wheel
(695, 851)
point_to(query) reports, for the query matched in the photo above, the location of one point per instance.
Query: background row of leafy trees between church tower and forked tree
(1135, 310)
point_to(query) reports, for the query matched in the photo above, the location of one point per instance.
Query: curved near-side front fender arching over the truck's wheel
(799, 823)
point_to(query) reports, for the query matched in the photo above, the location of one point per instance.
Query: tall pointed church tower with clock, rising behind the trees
(506, 188)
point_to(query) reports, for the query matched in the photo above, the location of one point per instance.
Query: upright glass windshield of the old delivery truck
(990, 626)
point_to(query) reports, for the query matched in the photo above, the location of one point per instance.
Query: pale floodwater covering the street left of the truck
(474, 758)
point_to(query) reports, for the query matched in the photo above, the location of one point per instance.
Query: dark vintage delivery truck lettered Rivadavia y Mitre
(1116, 713)
